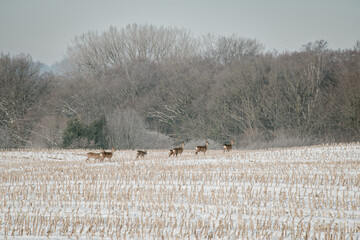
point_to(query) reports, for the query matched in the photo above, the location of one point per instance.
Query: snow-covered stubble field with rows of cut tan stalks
(297, 193)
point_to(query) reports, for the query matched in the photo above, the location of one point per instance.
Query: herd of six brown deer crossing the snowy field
(141, 153)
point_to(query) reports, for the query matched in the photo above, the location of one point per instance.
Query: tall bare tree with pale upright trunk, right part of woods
(302, 89)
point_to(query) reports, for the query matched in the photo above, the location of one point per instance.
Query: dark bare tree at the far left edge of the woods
(22, 87)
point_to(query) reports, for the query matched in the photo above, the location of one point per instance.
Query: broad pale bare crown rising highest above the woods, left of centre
(95, 52)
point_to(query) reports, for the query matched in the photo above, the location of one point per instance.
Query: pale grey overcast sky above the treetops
(44, 28)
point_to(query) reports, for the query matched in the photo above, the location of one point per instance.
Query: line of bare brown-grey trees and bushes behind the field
(144, 86)
